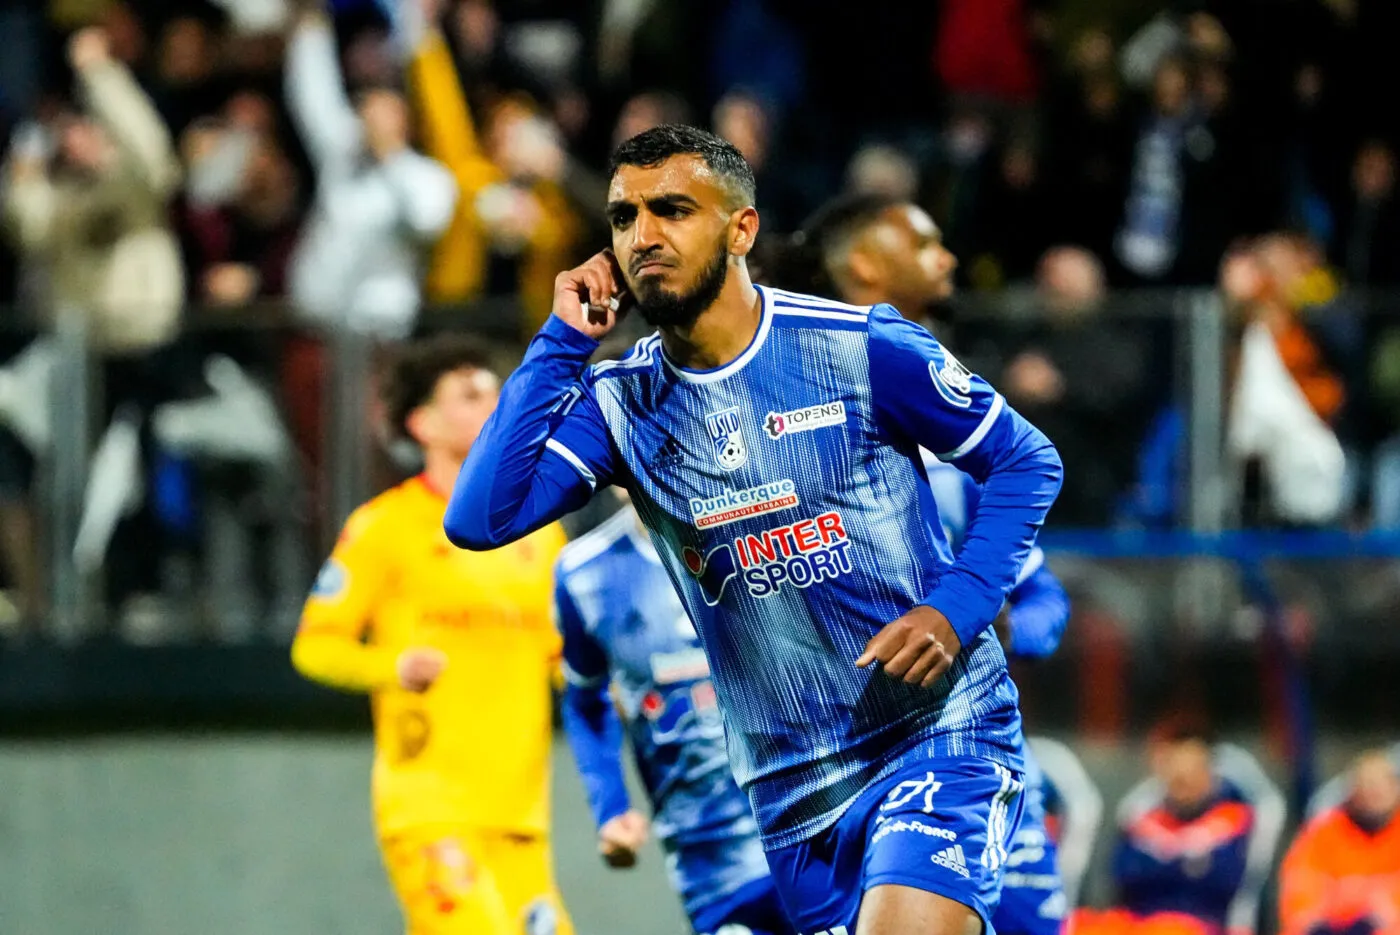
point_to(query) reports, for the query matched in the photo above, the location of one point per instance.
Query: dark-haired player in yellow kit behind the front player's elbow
(457, 652)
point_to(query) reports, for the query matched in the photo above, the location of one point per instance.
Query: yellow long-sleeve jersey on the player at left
(474, 750)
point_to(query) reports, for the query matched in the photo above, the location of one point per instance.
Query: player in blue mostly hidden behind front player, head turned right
(871, 250)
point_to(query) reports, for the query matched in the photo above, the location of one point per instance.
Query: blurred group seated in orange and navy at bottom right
(1195, 846)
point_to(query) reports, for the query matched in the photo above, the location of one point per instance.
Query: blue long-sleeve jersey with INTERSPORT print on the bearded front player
(785, 495)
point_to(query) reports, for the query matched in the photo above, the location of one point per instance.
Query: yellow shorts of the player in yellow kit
(460, 881)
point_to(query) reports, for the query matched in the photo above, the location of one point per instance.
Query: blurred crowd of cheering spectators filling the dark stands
(391, 167)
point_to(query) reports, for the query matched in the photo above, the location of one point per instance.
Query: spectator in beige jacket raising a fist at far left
(94, 218)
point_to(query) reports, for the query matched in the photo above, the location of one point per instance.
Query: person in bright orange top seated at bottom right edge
(1343, 870)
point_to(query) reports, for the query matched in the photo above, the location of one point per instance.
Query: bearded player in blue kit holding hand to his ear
(771, 446)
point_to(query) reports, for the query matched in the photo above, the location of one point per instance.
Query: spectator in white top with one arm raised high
(379, 204)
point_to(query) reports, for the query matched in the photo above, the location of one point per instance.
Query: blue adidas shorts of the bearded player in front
(940, 825)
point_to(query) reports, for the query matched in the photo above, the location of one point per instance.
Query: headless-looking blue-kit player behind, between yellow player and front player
(625, 626)
